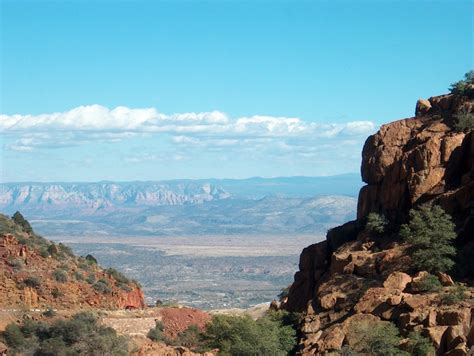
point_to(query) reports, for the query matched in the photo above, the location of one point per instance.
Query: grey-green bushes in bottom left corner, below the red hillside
(81, 335)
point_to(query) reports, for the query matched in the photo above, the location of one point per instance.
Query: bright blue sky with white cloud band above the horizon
(150, 90)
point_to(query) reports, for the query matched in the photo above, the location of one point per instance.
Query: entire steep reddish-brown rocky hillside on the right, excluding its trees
(359, 279)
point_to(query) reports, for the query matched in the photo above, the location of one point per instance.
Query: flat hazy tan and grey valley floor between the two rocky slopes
(206, 272)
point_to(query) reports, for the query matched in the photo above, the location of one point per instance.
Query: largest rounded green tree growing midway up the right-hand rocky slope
(430, 233)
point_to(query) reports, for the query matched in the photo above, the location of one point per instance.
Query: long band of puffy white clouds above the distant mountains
(98, 123)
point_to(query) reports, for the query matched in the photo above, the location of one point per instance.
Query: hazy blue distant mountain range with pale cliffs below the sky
(185, 207)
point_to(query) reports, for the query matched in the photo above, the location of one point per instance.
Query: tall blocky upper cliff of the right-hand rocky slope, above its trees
(420, 159)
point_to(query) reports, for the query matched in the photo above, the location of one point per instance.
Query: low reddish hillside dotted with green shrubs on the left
(36, 273)
